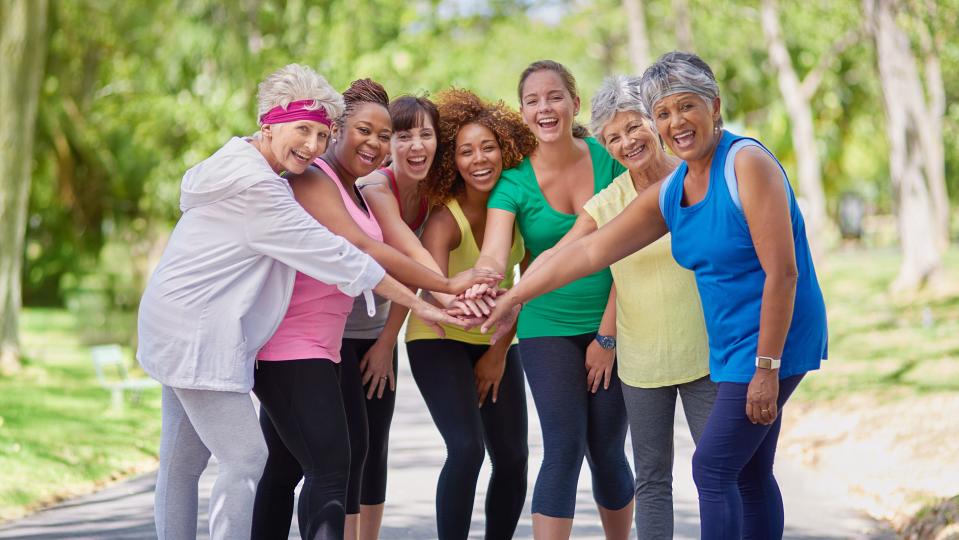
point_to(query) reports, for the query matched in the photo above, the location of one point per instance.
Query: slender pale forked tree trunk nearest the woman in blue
(809, 168)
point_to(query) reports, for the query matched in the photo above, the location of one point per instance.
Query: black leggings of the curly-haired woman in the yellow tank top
(443, 370)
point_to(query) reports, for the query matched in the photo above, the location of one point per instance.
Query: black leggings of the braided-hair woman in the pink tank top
(304, 425)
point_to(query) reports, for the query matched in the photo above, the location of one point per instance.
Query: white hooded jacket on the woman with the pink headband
(226, 276)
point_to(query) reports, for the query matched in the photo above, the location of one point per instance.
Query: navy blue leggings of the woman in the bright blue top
(733, 469)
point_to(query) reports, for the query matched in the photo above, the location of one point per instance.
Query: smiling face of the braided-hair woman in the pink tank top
(364, 139)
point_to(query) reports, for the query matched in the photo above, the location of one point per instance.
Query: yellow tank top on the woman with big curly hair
(463, 258)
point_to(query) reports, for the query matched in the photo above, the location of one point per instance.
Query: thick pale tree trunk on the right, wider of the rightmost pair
(907, 114)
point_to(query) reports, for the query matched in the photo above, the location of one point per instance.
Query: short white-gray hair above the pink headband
(295, 82)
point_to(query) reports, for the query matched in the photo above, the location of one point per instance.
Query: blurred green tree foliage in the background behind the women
(137, 92)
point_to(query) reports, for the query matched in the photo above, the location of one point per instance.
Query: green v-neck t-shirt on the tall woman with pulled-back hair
(578, 307)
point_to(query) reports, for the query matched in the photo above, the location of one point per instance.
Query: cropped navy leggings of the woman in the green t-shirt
(575, 423)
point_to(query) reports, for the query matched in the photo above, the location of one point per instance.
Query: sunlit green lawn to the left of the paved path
(58, 433)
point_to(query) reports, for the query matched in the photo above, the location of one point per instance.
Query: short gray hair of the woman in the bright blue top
(678, 72)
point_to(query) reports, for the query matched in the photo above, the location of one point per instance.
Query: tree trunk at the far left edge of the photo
(22, 55)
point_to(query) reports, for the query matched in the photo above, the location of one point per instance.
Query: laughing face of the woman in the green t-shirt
(547, 106)
